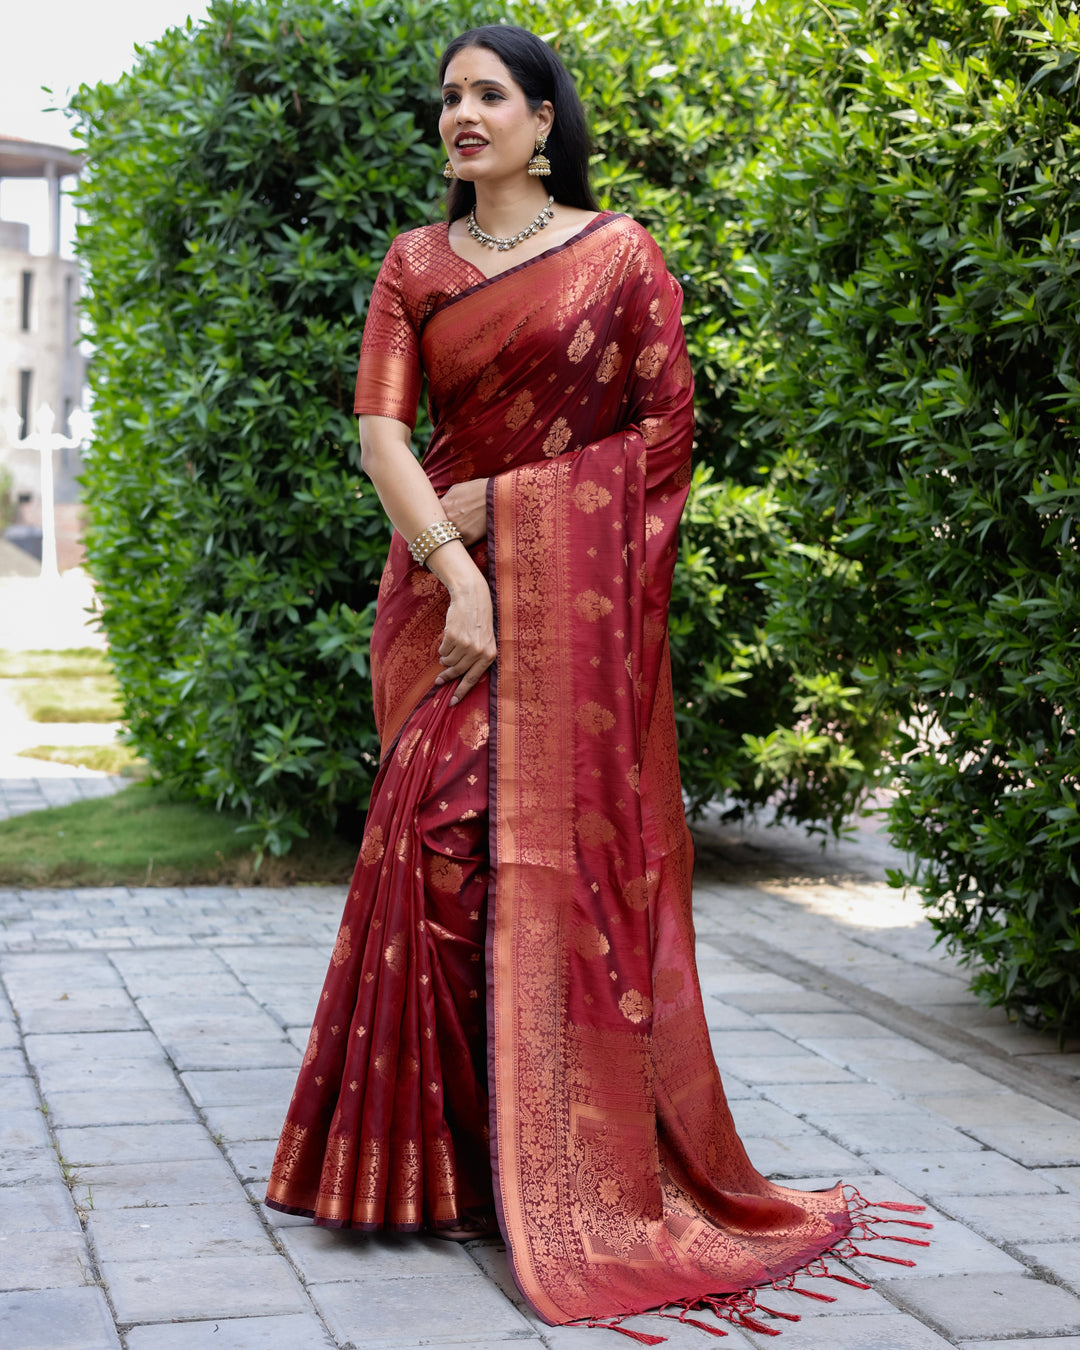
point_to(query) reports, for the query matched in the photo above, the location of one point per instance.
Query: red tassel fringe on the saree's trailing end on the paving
(739, 1309)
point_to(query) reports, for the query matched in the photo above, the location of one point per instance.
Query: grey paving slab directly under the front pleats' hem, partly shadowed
(329, 1256)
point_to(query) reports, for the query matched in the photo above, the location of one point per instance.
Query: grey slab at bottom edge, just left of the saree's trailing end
(418, 1309)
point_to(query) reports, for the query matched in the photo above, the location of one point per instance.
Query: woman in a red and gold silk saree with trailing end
(518, 943)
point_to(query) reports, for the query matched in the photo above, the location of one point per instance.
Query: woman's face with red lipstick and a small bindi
(487, 125)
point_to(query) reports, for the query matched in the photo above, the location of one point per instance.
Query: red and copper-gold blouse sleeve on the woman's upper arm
(389, 377)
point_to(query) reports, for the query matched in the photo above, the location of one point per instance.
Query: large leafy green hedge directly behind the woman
(244, 186)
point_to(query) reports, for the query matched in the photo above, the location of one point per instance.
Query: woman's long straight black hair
(542, 76)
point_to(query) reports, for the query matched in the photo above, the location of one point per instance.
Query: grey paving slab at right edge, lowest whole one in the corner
(989, 1305)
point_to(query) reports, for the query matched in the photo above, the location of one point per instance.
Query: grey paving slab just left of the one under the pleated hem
(179, 1233)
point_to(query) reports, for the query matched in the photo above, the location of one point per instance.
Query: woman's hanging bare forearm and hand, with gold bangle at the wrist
(408, 499)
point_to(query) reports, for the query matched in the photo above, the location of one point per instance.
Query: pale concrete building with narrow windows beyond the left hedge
(41, 361)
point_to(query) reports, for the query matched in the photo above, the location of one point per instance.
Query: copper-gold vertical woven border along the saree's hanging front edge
(534, 685)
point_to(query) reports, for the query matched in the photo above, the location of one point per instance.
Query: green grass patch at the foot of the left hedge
(145, 836)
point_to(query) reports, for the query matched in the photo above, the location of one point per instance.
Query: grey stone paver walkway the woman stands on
(149, 1042)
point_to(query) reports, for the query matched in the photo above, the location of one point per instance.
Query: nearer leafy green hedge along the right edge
(919, 287)
